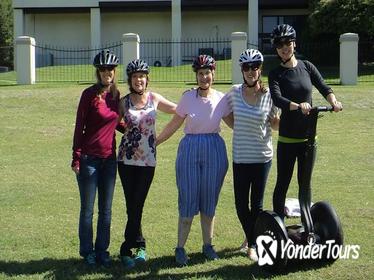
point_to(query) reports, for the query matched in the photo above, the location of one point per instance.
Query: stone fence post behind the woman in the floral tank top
(130, 50)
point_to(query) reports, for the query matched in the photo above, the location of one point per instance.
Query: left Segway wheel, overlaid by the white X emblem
(270, 232)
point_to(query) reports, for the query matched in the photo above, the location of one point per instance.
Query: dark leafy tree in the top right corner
(342, 16)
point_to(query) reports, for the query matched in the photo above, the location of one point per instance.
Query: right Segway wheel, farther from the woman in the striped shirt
(327, 224)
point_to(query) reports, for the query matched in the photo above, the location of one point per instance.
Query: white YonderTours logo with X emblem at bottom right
(268, 246)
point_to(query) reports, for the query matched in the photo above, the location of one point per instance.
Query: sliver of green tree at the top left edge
(6, 33)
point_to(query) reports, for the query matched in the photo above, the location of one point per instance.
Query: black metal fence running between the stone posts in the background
(55, 64)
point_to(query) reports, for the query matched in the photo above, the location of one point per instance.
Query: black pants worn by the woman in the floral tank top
(136, 181)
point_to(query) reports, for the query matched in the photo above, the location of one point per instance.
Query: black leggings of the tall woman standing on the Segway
(287, 154)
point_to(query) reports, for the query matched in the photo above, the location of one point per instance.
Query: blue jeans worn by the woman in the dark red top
(95, 174)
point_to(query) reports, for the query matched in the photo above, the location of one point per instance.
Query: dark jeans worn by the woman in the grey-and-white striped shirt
(249, 177)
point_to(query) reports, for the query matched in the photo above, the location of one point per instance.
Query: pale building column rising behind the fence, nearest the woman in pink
(176, 31)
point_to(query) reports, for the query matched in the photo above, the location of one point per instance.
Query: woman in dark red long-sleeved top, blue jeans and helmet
(94, 157)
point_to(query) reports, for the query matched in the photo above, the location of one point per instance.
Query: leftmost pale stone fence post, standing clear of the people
(25, 53)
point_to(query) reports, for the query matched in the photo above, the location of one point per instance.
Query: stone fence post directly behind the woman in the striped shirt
(238, 45)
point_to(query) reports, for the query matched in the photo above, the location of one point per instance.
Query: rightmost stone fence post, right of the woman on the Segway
(348, 58)
